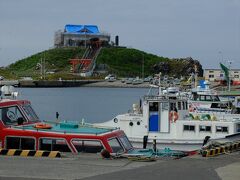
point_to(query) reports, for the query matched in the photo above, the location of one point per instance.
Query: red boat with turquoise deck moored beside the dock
(20, 128)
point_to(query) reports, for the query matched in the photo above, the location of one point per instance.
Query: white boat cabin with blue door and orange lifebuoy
(161, 111)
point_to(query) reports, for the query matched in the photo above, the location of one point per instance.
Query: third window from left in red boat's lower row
(88, 146)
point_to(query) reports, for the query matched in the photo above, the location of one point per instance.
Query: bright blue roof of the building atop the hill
(81, 29)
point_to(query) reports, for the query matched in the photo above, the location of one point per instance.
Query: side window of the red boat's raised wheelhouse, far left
(11, 115)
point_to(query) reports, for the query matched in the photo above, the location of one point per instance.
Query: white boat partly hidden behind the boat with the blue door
(206, 103)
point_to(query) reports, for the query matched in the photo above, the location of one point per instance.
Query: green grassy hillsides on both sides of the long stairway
(120, 61)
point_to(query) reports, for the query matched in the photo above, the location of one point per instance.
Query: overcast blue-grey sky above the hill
(206, 30)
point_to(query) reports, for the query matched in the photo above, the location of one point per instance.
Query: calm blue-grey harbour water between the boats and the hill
(92, 104)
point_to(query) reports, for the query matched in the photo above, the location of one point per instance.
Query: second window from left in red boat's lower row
(49, 144)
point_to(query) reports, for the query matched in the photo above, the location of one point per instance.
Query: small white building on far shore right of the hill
(218, 74)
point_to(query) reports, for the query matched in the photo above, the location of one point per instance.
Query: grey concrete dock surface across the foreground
(93, 167)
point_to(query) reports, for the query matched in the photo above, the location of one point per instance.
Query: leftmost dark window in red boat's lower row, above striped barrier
(20, 143)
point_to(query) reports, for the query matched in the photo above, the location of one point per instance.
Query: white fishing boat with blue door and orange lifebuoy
(165, 117)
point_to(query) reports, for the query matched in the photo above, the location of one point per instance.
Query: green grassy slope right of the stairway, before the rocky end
(129, 62)
